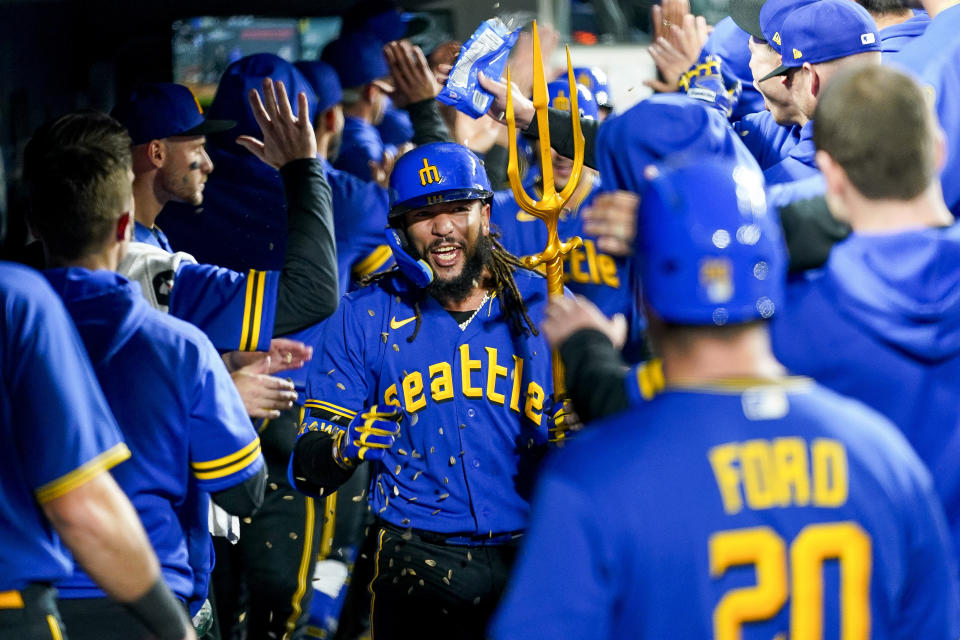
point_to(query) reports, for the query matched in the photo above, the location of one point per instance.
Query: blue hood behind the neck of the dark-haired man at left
(106, 308)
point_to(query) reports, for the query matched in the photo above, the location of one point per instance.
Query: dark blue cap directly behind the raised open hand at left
(248, 73)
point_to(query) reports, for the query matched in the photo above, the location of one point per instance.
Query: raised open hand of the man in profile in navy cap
(285, 137)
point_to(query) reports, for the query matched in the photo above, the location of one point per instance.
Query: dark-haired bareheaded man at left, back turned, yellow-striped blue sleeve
(166, 384)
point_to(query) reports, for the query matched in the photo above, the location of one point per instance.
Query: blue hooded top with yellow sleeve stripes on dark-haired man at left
(179, 412)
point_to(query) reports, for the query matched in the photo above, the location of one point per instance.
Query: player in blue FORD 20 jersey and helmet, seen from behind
(740, 502)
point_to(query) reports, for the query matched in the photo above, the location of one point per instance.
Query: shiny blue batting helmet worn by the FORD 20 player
(710, 250)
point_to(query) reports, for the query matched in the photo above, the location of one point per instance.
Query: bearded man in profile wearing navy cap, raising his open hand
(238, 311)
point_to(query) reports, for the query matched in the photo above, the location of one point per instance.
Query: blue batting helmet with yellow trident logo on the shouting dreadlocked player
(434, 173)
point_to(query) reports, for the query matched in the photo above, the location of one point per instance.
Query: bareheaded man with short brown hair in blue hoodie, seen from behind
(879, 322)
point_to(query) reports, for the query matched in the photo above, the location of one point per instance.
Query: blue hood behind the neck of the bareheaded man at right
(904, 288)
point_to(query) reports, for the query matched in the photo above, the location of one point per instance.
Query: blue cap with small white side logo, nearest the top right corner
(825, 30)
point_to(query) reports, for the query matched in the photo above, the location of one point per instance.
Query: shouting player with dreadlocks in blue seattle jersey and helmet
(436, 374)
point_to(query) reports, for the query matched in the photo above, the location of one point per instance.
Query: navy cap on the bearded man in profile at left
(162, 110)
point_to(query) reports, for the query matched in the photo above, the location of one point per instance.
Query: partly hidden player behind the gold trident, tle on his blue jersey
(603, 278)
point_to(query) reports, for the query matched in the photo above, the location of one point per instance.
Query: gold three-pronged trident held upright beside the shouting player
(550, 205)
